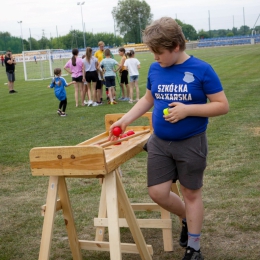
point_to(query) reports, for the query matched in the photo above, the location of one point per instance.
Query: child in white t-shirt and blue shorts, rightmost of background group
(133, 65)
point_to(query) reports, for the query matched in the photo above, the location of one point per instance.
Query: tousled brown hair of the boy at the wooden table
(164, 33)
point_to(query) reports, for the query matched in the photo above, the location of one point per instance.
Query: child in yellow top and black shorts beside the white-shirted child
(124, 76)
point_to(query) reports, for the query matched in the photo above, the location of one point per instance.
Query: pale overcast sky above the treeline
(60, 16)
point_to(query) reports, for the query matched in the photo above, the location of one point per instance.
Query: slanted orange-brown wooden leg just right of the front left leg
(69, 220)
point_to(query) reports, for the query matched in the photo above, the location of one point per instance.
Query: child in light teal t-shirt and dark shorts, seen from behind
(107, 65)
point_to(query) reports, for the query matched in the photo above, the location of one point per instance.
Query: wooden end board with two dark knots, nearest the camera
(68, 161)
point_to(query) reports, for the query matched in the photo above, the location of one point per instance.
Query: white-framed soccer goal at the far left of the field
(39, 65)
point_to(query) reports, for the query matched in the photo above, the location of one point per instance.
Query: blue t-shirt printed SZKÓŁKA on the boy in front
(188, 83)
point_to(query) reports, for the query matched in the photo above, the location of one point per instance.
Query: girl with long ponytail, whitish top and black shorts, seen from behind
(90, 64)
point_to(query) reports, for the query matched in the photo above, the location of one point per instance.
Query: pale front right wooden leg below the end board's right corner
(112, 214)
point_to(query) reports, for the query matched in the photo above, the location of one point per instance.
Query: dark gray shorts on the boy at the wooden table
(183, 160)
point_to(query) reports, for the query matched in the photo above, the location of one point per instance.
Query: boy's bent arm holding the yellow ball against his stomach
(218, 105)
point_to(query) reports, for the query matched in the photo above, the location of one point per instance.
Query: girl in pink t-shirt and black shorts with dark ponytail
(75, 67)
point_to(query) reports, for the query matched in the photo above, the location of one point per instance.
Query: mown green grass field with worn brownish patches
(231, 185)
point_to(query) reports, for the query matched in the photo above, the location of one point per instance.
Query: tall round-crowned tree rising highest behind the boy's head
(131, 17)
